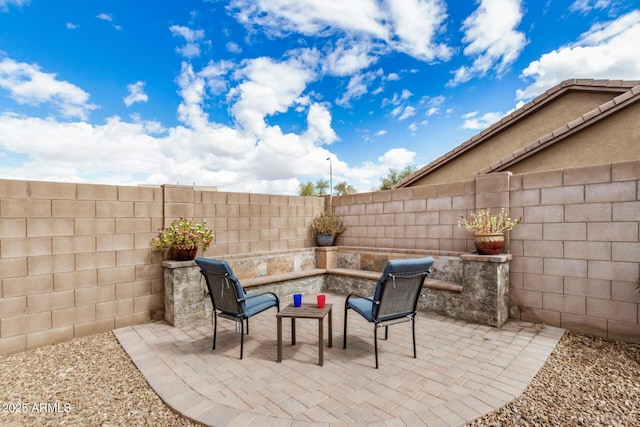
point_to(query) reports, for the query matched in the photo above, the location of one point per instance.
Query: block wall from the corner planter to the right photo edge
(576, 257)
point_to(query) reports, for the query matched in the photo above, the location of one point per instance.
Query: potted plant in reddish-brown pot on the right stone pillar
(488, 229)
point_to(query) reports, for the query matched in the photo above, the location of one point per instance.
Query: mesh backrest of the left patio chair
(224, 287)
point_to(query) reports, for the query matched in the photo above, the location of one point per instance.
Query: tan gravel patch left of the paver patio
(85, 382)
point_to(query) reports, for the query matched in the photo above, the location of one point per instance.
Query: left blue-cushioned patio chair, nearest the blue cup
(229, 299)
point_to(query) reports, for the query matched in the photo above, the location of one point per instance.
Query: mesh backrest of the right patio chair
(399, 287)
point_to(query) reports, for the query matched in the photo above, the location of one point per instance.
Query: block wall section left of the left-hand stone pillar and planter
(66, 252)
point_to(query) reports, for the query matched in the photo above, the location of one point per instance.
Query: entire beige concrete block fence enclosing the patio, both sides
(75, 259)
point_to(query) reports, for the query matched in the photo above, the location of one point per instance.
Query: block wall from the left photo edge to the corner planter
(75, 259)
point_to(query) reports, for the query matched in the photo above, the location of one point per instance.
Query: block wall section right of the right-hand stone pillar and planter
(576, 259)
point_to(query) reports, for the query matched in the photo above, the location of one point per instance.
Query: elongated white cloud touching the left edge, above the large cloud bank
(27, 84)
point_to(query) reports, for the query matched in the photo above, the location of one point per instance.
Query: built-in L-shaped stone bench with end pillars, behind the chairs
(462, 285)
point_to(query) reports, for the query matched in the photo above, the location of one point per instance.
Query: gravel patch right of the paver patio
(586, 381)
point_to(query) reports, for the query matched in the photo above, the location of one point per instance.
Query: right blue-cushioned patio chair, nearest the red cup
(395, 298)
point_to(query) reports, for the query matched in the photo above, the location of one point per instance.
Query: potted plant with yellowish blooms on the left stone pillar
(183, 238)
